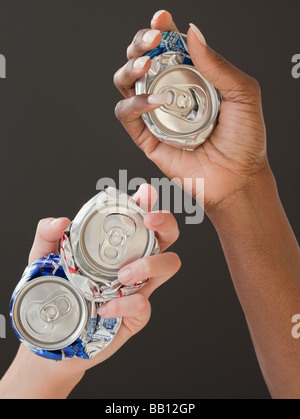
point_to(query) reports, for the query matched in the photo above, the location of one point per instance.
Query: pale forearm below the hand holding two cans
(32, 377)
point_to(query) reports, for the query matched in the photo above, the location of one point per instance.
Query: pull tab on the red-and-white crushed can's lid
(119, 229)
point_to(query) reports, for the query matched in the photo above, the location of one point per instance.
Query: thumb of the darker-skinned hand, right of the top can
(232, 83)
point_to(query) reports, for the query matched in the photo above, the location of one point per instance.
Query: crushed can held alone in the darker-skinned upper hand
(190, 115)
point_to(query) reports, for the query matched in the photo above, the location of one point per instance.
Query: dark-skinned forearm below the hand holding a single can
(264, 261)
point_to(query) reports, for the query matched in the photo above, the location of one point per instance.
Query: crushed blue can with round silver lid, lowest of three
(51, 317)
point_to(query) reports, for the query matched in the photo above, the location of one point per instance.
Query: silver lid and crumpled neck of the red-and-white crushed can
(108, 233)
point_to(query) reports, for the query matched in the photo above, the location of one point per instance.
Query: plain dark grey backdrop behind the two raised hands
(59, 136)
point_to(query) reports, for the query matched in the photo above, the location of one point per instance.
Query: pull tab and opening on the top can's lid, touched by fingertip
(185, 102)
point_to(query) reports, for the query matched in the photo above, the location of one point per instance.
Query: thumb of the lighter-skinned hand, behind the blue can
(49, 232)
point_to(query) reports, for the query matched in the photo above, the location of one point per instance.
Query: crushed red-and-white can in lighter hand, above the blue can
(107, 234)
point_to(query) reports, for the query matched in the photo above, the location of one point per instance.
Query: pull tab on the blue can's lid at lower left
(55, 309)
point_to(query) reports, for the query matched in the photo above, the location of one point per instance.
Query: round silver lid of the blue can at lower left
(49, 313)
